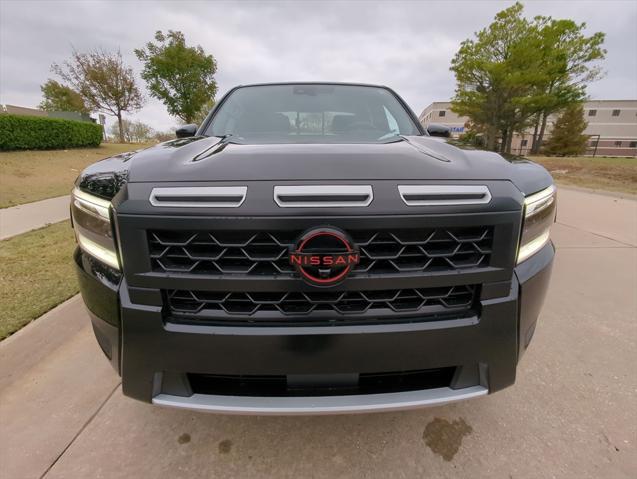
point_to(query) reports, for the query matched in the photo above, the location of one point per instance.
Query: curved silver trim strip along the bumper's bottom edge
(319, 404)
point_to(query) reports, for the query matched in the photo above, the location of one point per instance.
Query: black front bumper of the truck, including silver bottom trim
(154, 357)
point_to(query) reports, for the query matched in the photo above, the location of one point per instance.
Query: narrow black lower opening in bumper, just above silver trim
(320, 385)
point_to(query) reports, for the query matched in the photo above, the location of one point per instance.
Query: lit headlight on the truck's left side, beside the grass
(92, 225)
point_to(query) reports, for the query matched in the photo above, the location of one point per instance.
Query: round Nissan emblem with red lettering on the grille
(324, 256)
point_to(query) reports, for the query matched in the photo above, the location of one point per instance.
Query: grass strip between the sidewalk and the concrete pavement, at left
(36, 274)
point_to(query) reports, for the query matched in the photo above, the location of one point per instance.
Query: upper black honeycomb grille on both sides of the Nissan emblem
(266, 253)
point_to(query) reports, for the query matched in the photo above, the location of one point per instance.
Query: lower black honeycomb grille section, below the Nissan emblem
(427, 303)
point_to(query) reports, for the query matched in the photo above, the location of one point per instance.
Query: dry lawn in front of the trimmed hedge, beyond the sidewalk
(33, 175)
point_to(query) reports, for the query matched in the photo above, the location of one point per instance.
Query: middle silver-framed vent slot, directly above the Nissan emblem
(318, 196)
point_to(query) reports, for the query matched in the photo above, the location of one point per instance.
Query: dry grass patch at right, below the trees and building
(613, 174)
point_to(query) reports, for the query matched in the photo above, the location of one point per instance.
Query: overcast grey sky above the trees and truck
(406, 45)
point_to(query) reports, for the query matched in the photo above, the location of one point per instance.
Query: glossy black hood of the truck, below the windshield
(208, 159)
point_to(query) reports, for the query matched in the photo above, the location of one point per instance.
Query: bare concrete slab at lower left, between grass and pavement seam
(53, 380)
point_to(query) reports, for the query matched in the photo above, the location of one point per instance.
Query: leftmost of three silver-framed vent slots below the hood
(199, 196)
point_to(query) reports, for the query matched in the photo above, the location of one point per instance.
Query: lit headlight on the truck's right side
(539, 215)
